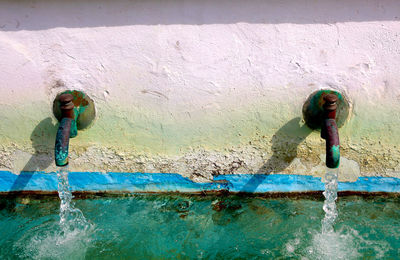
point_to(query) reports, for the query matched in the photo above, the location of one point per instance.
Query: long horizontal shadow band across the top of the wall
(47, 14)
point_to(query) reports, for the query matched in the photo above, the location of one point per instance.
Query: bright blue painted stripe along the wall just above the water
(170, 182)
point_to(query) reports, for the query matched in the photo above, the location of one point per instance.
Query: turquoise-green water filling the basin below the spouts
(184, 227)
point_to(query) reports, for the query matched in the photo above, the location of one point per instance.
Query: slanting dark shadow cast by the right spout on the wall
(284, 148)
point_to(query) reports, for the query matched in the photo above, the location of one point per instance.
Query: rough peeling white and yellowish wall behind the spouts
(200, 88)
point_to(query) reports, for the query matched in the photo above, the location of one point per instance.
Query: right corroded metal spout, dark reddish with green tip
(329, 131)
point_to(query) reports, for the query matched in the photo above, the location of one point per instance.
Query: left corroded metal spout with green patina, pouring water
(67, 129)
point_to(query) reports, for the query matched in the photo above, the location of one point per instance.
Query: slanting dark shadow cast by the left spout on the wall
(42, 137)
